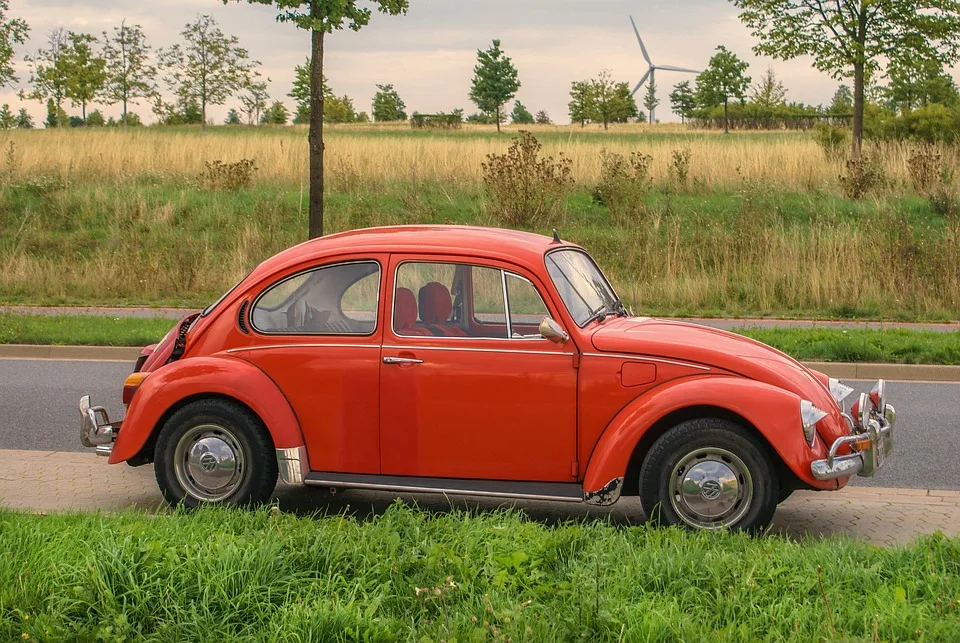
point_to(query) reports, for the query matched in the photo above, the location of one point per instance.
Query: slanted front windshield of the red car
(582, 287)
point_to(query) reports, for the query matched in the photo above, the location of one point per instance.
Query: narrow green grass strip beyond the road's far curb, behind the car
(894, 346)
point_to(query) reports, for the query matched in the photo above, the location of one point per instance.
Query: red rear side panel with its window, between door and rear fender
(316, 333)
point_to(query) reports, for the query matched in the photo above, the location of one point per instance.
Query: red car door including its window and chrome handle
(468, 389)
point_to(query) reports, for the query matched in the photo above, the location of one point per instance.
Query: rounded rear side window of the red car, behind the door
(331, 300)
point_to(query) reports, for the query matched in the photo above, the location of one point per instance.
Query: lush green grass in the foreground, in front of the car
(409, 575)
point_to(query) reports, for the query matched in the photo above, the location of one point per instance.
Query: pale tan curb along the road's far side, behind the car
(849, 371)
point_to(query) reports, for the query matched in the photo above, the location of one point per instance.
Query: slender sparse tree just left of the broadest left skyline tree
(130, 76)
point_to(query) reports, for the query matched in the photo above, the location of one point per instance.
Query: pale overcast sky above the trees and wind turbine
(429, 54)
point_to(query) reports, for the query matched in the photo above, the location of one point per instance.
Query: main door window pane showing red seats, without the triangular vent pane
(449, 300)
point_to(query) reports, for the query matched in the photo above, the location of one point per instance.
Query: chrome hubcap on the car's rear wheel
(209, 463)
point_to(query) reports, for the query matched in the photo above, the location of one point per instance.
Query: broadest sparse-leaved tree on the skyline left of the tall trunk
(209, 66)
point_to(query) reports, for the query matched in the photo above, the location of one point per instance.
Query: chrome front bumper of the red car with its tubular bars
(873, 443)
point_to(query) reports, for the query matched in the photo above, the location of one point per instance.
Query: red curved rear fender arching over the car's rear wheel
(216, 375)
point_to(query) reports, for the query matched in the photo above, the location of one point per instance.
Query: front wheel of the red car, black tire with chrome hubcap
(728, 480)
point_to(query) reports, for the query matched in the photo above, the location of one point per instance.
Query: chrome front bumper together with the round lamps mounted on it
(870, 441)
